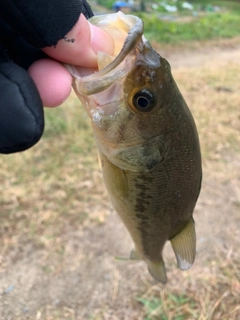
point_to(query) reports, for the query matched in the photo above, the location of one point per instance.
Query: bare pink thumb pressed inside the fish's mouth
(80, 46)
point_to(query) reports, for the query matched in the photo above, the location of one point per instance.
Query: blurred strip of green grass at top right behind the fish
(206, 25)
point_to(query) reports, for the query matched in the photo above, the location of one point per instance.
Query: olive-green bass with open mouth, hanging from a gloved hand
(148, 145)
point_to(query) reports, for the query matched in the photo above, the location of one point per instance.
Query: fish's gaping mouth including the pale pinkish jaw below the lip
(104, 87)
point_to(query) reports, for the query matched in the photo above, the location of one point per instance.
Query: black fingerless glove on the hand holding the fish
(25, 27)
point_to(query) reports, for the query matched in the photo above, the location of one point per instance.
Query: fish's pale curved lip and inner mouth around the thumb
(111, 68)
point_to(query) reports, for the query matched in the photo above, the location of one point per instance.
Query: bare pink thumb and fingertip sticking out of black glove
(79, 47)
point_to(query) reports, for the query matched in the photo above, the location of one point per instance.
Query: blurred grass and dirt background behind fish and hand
(59, 235)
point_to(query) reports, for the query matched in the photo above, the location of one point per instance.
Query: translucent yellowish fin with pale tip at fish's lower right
(184, 246)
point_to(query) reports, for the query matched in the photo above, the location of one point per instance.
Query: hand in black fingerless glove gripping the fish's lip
(25, 27)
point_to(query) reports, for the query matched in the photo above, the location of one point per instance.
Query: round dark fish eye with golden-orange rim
(143, 100)
